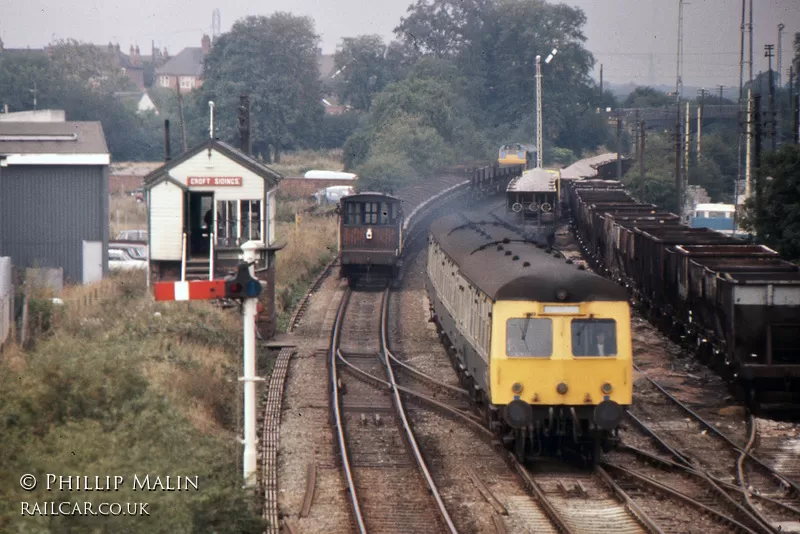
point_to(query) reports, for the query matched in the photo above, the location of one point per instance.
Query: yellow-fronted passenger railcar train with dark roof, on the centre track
(544, 346)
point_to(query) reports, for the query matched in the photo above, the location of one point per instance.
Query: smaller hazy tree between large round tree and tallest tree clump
(361, 63)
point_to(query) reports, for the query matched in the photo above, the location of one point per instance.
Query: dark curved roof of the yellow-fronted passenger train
(494, 258)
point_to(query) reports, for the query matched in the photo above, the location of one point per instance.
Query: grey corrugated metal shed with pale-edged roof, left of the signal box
(54, 197)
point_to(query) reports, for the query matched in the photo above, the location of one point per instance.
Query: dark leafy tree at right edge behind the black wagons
(778, 223)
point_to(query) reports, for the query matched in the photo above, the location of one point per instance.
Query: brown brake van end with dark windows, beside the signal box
(370, 234)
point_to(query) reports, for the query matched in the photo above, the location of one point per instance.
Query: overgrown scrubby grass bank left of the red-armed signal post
(120, 384)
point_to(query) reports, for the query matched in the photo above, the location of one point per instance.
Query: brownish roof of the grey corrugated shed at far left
(52, 138)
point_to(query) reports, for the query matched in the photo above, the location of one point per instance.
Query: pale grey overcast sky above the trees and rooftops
(635, 40)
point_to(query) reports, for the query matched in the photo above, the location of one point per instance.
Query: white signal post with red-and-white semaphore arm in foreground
(245, 287)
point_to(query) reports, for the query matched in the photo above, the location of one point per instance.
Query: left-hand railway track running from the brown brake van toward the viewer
(382, 472)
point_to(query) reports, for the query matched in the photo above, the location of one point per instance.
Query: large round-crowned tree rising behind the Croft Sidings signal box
(273, 59)
